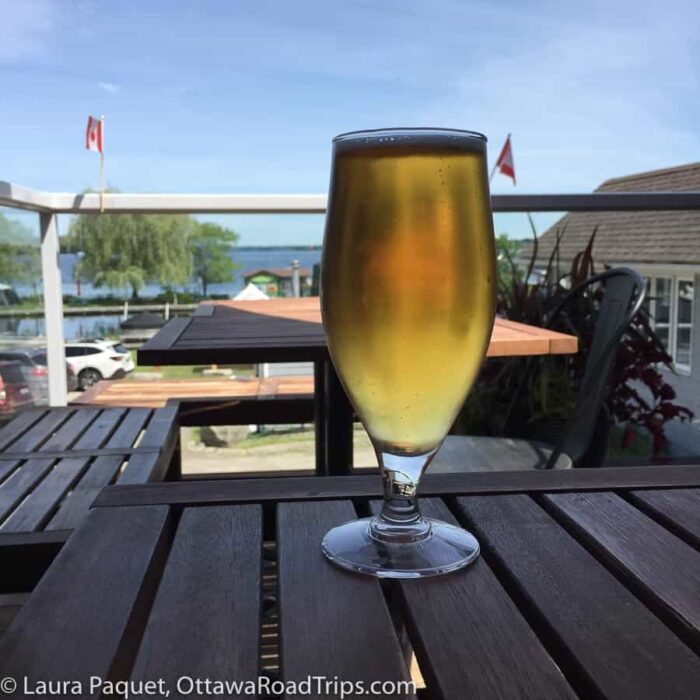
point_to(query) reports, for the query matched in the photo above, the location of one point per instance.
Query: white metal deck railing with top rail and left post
(50, 204)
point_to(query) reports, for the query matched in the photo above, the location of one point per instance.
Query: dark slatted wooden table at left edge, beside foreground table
(54, 462)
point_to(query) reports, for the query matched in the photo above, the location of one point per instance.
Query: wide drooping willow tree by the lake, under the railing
(132, 250)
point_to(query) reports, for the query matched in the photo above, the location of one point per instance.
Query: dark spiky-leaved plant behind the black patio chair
(639, 393)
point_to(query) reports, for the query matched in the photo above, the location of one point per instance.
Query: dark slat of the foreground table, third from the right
(607, 640)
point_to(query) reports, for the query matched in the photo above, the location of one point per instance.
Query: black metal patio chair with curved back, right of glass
(623, 296)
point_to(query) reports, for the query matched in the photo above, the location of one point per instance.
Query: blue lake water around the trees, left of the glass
(75, 327)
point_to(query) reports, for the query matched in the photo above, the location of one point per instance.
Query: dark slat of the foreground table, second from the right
(664, 569)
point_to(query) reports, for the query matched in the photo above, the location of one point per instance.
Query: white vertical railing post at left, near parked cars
(53, 309)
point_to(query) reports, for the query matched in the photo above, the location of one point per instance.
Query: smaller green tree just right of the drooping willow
(211, 255)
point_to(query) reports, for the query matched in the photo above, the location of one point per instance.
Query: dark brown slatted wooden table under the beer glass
(588, 586)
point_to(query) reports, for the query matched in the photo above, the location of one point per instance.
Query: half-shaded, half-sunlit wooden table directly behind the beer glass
(290, 330)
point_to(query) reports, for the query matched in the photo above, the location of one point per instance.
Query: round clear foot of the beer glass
(447, 548)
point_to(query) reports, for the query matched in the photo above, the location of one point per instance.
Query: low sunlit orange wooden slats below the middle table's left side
(155, 393)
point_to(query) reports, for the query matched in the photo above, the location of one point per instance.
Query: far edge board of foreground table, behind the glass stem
(238, 490)
